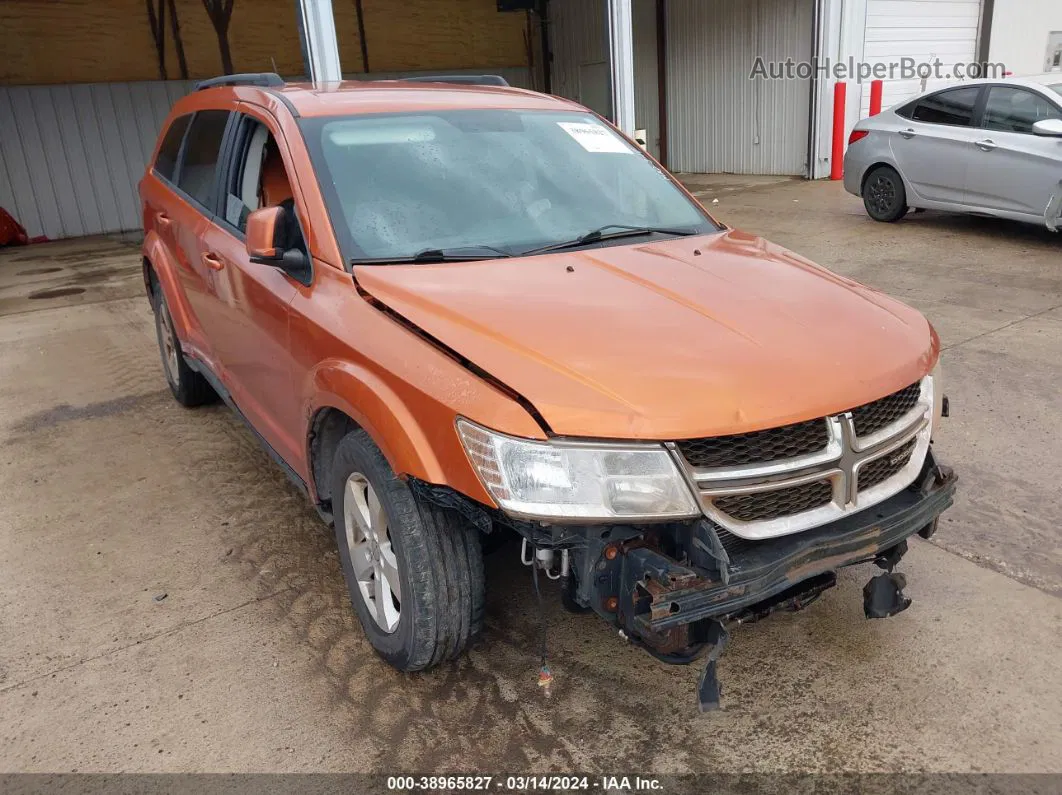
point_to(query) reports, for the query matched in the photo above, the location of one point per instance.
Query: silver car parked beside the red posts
(992, 148)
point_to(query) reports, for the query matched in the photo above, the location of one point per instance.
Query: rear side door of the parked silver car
(933, 145)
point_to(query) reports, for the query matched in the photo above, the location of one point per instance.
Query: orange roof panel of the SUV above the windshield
(373, 97)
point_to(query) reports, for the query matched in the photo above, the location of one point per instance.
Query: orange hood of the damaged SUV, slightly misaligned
(687, 338)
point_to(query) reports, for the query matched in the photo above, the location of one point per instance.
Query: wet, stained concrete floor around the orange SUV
(114, 496)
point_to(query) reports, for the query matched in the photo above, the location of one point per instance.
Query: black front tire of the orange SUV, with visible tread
(436, 552)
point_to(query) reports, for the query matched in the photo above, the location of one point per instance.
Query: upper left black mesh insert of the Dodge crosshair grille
(776, 444)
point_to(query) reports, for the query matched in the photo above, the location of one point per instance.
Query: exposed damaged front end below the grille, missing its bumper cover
(677, 589)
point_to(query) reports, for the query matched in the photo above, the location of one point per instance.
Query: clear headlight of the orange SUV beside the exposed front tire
(577, 481)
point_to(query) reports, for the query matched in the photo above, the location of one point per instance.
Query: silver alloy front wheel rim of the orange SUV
(372, 555)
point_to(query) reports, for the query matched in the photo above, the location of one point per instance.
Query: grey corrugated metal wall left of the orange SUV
(71, 157)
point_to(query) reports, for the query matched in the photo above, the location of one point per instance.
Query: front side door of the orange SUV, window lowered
(252, 318)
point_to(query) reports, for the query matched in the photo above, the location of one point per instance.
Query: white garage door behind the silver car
(923, 30)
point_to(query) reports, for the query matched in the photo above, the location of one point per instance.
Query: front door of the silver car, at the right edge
(1012, 169)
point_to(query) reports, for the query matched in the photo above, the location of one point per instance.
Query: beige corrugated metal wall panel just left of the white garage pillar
(720, 119)
